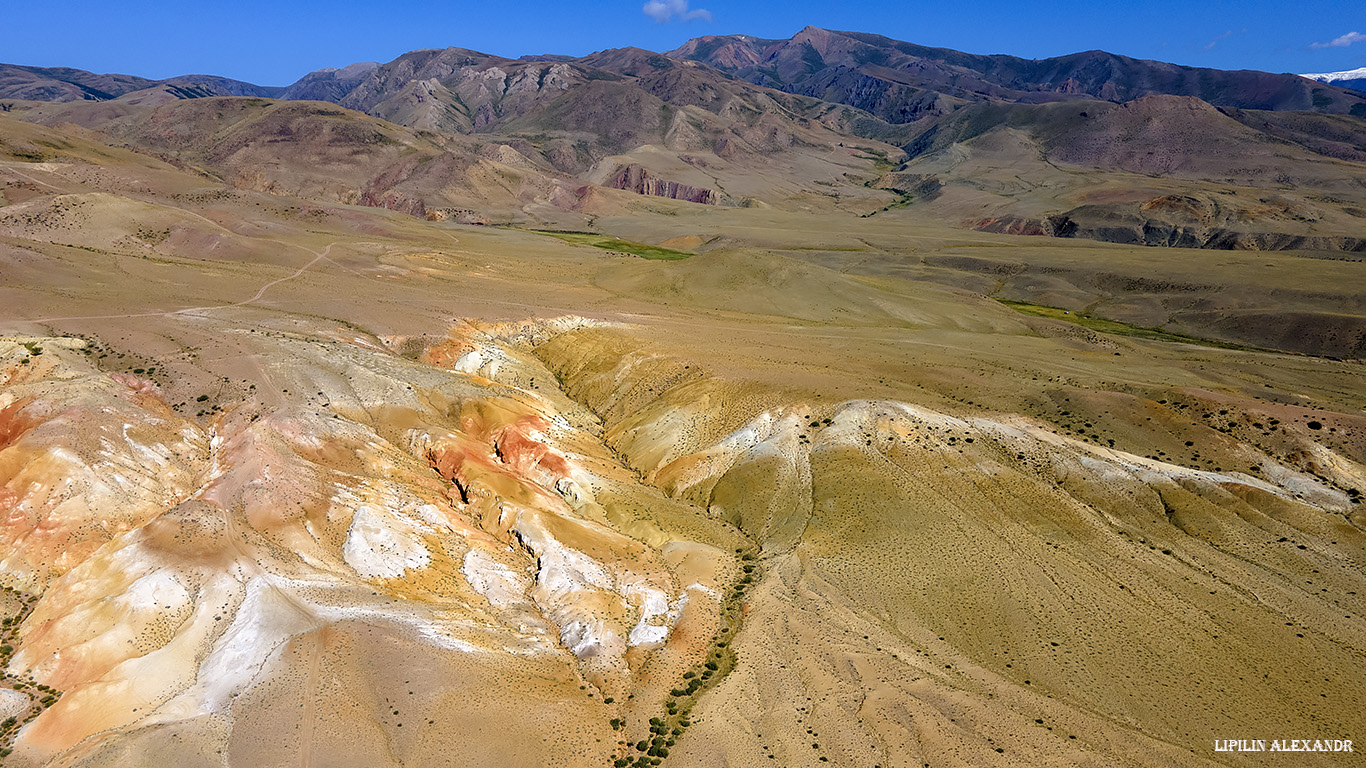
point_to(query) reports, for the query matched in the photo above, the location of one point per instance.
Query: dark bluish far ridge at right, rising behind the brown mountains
(904, 83)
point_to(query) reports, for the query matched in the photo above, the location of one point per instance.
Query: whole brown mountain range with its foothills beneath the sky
(823, 118)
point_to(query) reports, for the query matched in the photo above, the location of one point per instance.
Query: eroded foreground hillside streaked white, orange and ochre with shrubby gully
(561, 525)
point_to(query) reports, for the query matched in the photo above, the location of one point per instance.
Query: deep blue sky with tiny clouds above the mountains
(275, 43)
